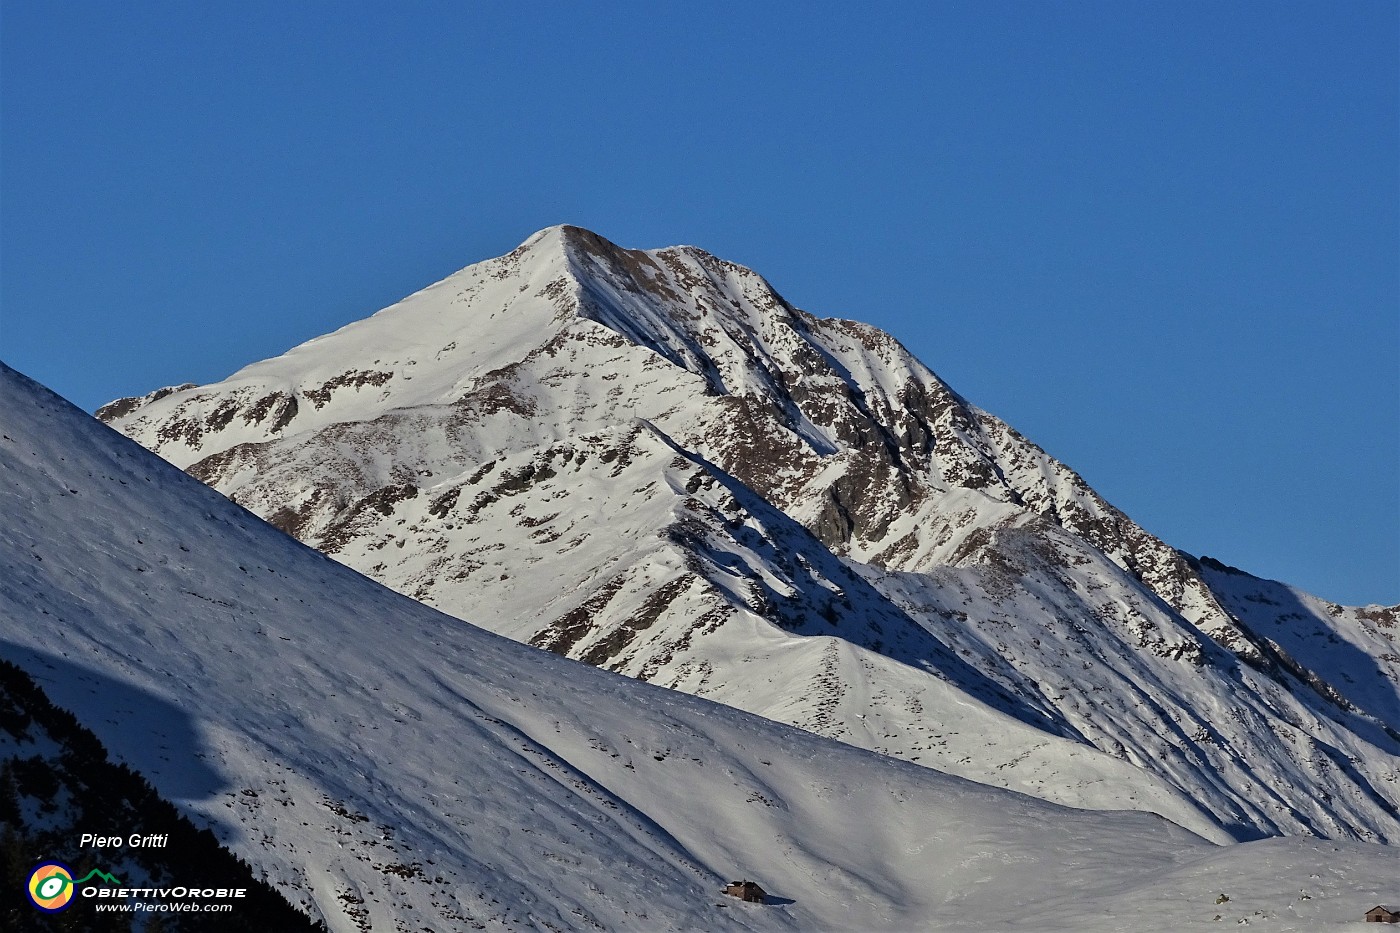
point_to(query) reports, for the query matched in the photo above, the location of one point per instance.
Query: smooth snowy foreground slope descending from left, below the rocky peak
(393, 768)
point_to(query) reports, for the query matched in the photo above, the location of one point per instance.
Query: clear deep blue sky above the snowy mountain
(1160, 239)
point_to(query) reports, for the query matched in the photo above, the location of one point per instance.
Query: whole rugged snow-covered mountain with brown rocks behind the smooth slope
(649, 462)
